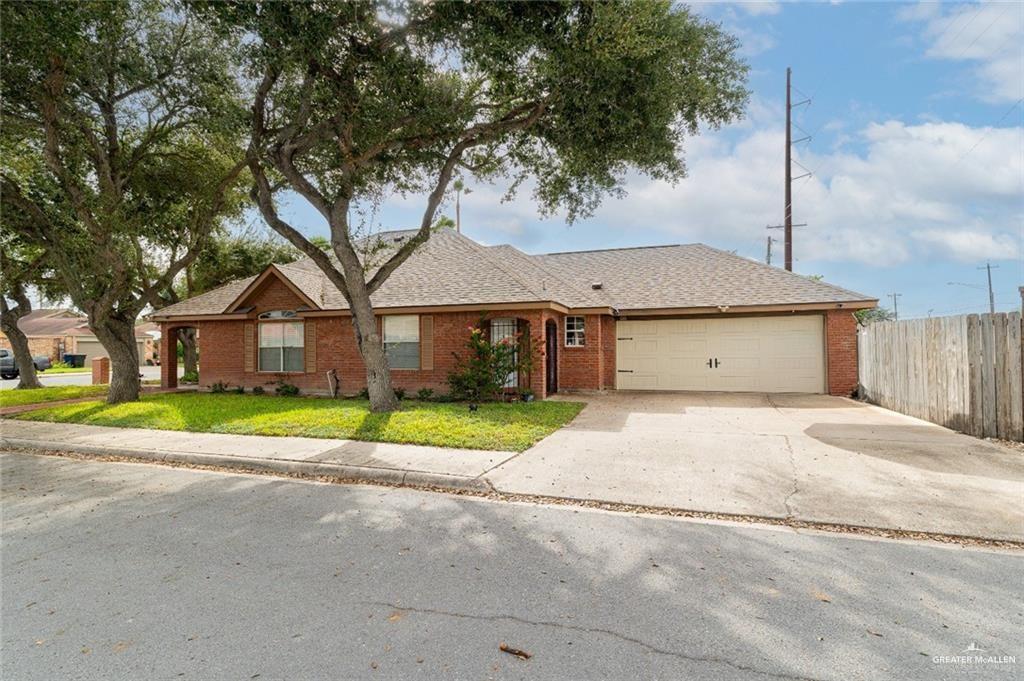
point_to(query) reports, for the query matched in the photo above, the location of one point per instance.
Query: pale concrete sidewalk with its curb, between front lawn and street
(403, 464)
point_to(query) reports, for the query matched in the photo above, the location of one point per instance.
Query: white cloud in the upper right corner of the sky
(989, 35)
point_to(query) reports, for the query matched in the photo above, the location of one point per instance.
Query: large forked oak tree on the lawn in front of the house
(355, 100)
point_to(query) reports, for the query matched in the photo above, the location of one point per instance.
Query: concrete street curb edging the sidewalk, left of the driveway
(292, 467)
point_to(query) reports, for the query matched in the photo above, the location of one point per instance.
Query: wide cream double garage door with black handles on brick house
(756, 355)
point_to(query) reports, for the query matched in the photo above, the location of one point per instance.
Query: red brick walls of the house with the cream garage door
(331, 346)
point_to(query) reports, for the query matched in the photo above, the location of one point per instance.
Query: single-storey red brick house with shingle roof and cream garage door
(671, 318)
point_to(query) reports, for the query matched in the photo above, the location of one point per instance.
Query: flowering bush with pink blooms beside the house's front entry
(483, 372)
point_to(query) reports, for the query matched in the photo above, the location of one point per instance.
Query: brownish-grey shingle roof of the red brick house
(453, 270)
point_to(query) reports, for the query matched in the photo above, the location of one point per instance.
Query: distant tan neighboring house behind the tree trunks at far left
(59, 332)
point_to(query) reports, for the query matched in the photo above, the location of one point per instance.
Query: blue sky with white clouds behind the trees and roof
(917, 150)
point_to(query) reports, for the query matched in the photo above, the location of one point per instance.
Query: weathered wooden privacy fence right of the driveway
(961, 372)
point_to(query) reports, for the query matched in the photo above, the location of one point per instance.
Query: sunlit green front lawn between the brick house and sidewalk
(513, 428)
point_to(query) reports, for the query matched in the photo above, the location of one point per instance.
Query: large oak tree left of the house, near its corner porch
(131, 107)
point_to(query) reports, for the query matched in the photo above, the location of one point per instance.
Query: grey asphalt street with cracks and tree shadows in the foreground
(135, 572)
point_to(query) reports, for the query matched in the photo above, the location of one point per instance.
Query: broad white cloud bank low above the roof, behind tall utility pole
(916, 192)
